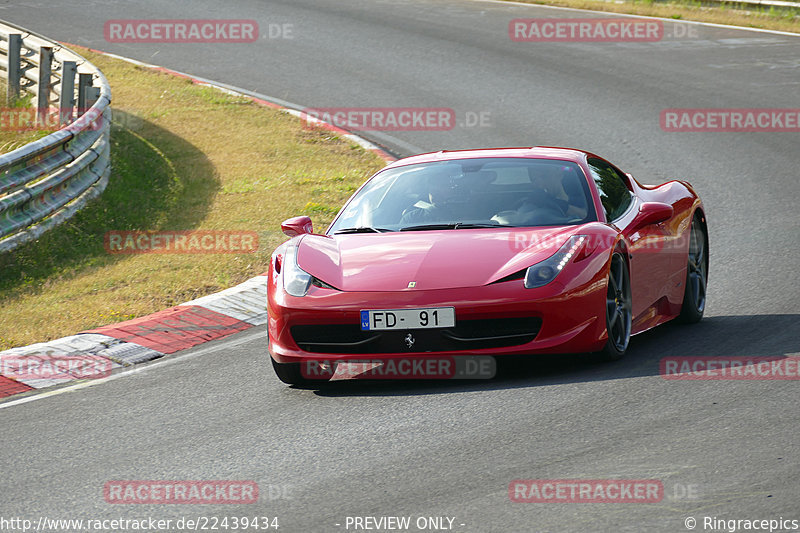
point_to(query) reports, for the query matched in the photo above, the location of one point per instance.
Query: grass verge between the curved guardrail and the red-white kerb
(184, 157)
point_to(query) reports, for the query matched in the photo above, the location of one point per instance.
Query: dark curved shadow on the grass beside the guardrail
(158, 181)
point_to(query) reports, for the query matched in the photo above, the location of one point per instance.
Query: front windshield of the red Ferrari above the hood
(470, 193)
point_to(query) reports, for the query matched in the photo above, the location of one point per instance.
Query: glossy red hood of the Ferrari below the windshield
(444, 259)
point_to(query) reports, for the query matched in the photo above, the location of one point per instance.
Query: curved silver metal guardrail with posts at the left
(44, 183)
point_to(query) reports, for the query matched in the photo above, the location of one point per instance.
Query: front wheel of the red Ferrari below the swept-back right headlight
(618, 309)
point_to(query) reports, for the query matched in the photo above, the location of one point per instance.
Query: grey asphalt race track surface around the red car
(724, 449)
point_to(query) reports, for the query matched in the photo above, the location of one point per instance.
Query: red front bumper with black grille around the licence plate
(565, 316)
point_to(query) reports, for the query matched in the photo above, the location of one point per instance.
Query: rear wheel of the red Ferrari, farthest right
(694, 294)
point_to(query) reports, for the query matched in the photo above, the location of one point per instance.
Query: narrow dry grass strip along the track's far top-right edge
(749, 16)
